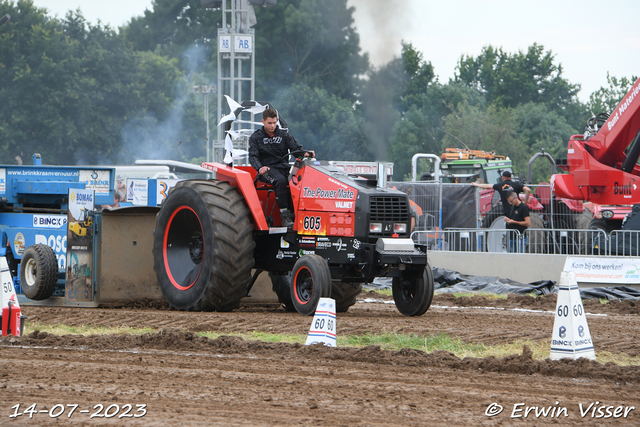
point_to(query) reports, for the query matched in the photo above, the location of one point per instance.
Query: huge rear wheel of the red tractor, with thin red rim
(203, 246)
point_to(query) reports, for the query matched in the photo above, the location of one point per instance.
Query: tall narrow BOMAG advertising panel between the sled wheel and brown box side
(79, 275)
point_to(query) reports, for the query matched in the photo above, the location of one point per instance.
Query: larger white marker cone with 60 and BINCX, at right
(571, 337)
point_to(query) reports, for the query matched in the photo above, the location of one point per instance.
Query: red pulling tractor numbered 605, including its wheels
(210, 234)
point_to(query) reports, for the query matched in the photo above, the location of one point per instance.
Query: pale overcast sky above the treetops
(588, 37)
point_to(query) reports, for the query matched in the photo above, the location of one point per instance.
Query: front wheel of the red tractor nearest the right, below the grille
(413, 291)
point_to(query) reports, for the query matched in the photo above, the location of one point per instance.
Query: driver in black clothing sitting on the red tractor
(268, 147)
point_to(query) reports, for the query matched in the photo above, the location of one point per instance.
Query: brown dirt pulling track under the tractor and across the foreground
(184, 379)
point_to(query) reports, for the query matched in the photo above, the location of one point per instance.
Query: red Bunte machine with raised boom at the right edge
(603, 164)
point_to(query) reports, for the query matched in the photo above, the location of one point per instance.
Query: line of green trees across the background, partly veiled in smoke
(86, 93)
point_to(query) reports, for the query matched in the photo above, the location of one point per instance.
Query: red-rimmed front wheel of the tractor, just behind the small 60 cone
(311, 280)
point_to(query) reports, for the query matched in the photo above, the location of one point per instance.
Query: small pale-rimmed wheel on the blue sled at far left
(38, 272)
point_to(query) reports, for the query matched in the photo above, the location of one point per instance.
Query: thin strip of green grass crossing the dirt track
(386, 341)
